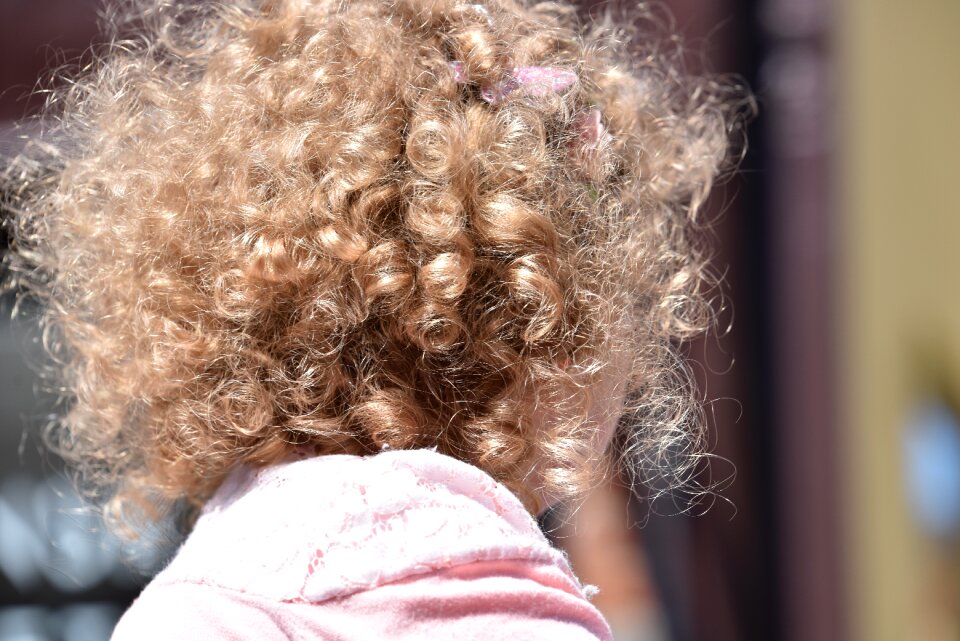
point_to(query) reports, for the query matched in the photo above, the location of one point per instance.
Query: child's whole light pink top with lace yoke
(401, 545)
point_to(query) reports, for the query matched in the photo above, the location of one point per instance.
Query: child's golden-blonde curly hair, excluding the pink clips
(265, 225)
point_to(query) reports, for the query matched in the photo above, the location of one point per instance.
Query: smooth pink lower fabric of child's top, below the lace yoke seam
(493, 600)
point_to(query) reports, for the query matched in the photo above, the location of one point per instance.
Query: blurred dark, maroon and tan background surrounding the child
(835, 395)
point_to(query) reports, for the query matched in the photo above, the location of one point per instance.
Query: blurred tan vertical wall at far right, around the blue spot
(899, 139)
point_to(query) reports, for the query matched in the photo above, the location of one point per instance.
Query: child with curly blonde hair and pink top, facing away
(366, 283)
